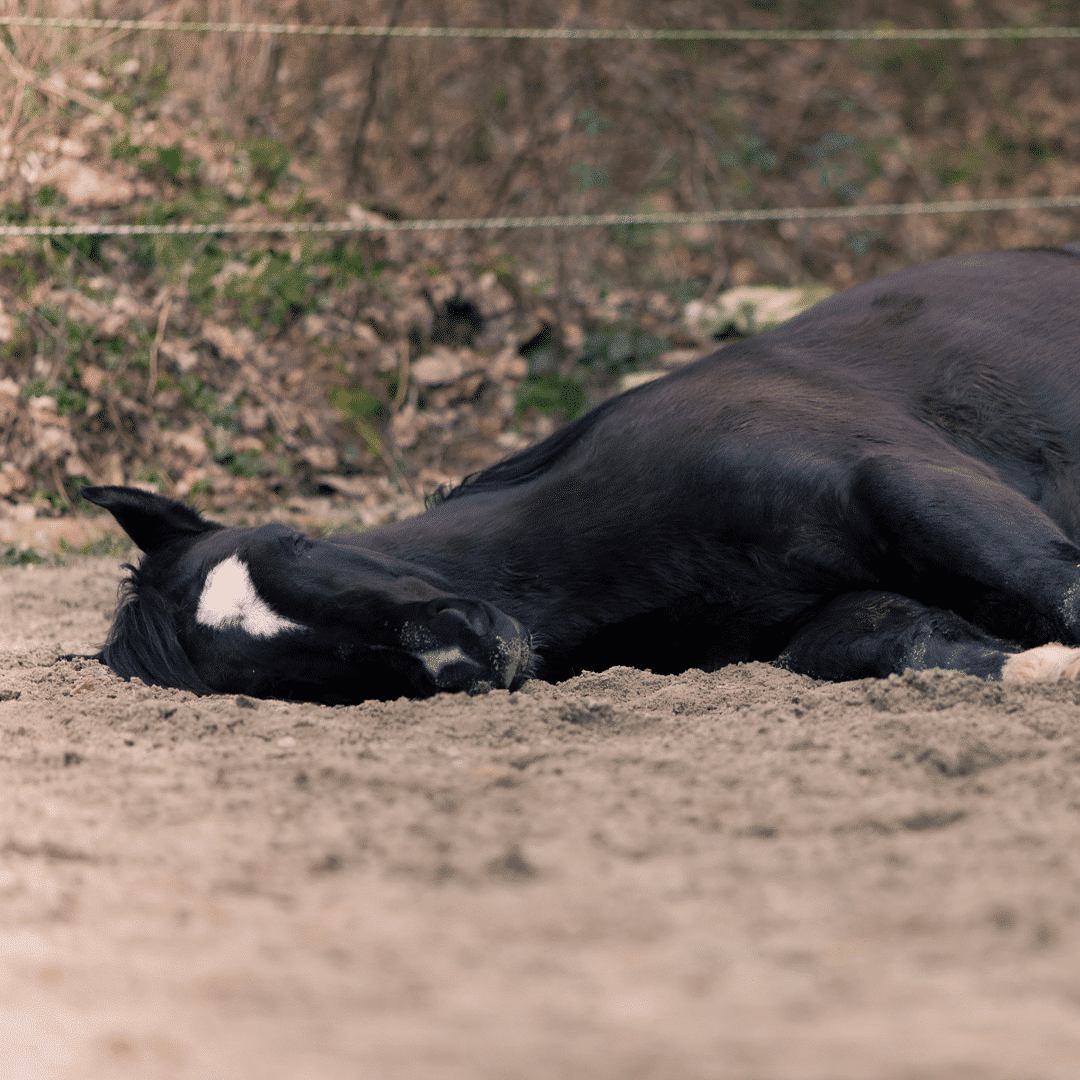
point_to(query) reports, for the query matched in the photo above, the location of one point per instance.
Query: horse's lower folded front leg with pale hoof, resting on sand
(875, 634)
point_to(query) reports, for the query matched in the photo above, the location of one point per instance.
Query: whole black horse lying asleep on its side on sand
(889, 481)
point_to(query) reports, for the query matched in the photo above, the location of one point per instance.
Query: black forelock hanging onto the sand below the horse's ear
(143, 641)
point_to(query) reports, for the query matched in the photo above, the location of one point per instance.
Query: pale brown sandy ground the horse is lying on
(741, 876)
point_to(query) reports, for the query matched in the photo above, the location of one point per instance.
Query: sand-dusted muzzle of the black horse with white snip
(470, 646)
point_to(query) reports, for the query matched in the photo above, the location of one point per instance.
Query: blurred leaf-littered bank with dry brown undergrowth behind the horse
(374, 368)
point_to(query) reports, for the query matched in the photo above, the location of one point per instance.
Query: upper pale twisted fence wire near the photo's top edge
(555, 34)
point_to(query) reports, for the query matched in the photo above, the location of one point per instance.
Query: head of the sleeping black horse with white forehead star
(272, 613)
